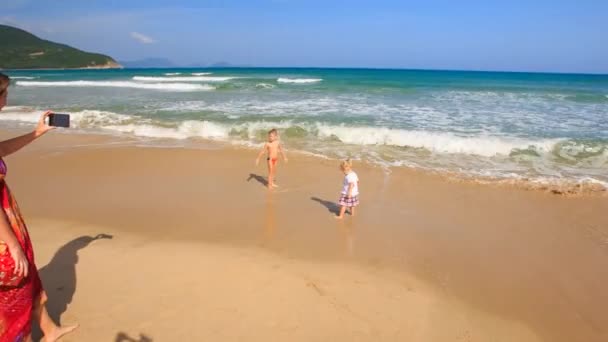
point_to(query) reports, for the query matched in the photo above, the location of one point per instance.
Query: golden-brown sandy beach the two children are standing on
(200, 250)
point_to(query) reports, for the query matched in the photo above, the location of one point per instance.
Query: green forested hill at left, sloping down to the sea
(20, 49)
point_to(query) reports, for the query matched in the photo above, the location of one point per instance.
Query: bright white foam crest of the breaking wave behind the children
(443, 143)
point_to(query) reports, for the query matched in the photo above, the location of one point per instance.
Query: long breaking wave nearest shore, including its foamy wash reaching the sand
(562, 163)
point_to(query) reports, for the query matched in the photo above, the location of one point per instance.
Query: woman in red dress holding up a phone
(21, 295)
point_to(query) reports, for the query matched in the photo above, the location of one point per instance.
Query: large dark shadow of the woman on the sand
(59, 275)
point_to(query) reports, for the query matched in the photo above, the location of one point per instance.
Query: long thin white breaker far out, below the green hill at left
(119, 84)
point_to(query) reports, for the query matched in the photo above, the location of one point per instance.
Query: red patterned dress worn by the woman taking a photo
(18, 297)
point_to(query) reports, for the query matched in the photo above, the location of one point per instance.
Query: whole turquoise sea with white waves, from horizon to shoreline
(491, 125)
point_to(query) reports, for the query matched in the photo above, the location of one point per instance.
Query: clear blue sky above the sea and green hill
(515, 35)
